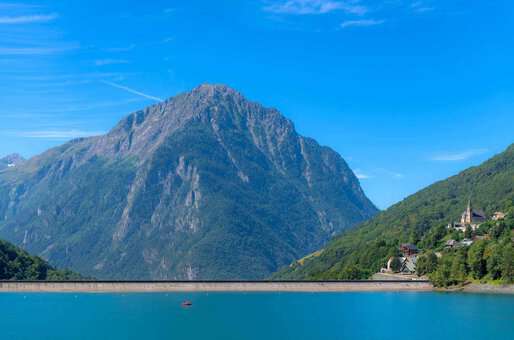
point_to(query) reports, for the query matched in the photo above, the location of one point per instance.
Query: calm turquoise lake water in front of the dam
(257, 316)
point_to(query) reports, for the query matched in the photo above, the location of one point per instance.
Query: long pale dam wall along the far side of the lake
(254, 286)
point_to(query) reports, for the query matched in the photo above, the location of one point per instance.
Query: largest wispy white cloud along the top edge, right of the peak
(310, 7)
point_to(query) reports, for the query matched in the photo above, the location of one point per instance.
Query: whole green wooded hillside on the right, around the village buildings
(421, 219)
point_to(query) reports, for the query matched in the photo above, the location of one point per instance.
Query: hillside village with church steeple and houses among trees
(460, 234)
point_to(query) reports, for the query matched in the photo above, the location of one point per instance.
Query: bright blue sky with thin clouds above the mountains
(408, 92)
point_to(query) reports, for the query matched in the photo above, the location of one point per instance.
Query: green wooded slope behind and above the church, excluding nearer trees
(418, 218)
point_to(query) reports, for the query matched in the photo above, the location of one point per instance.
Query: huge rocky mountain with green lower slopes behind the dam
(206, 185)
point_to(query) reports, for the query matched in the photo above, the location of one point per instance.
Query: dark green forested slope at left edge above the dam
(17, 264)
